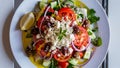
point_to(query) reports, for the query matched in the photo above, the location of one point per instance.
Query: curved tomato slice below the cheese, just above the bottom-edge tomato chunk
(61, 58)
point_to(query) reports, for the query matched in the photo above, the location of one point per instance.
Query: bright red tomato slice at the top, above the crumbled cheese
(66, 11)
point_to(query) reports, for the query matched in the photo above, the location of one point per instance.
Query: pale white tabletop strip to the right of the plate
(114, 49)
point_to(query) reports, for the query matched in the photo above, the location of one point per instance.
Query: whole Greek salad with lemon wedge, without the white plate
(60, 34)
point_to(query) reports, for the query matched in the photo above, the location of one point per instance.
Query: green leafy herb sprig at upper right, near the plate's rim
(92, 17)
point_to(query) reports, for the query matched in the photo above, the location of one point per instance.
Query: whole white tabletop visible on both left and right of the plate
(6, 12)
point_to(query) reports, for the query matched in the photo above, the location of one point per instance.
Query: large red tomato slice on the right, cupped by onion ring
(81, 40)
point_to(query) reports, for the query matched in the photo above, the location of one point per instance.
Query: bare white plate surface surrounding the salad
(16, 37)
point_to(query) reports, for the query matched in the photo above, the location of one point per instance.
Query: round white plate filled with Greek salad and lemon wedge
(59, 34)
